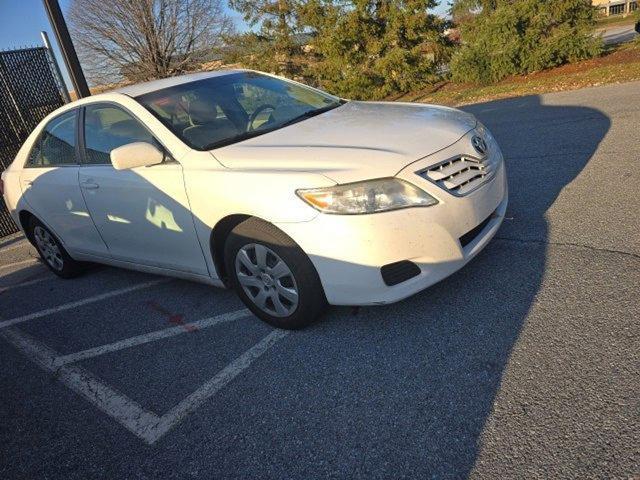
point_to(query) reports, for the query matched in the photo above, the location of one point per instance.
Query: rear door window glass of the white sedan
(57, 143)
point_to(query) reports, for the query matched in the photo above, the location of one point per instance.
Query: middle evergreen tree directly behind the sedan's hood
(374, 48)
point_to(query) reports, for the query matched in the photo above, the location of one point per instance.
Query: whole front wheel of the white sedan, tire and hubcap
(273, 276)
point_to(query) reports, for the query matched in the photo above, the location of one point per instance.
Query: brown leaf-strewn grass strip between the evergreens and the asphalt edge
(621, 64)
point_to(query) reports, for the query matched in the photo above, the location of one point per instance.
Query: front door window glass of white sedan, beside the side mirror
(107, 127)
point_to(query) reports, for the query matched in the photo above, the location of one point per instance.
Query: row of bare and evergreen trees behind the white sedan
(361, 49)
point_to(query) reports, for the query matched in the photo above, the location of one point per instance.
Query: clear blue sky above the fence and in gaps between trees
(22, 20)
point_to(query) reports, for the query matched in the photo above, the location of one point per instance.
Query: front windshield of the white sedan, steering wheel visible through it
(218, 111)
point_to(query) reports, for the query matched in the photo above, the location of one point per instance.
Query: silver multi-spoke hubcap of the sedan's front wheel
(267, 280)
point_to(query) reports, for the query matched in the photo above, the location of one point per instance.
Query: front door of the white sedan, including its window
(142, 214)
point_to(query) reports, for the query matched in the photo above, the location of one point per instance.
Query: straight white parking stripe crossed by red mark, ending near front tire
(150, 337)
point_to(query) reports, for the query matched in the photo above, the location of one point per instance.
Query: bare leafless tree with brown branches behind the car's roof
(145, 39)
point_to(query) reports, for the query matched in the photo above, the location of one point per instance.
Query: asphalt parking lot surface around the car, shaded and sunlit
(525, 364)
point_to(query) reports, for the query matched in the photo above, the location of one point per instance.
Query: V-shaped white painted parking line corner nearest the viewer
(148, 426)
